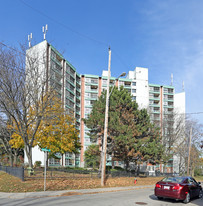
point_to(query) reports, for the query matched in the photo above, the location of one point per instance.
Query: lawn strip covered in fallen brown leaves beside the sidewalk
(9, 183)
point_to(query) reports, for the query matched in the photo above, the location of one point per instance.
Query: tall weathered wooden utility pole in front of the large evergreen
(103, 169)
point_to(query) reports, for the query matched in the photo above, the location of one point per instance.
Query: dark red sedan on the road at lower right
(178, 188)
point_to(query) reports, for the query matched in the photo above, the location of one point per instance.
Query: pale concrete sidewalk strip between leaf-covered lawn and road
(69, 192)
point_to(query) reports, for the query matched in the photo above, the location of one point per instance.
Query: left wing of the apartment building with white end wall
(66, 81)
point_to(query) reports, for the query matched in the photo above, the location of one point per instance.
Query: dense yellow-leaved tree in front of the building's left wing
(57, 131)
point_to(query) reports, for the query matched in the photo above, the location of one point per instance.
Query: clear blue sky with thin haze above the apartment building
(166, 36)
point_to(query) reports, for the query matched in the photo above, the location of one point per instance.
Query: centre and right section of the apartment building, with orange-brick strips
(159, 100)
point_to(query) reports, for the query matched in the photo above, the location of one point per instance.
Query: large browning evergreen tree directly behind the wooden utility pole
(130, 131)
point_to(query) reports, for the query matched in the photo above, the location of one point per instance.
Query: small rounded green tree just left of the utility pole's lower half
(92, 156)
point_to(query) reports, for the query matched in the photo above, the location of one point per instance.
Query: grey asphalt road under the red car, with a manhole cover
(119, 198)
